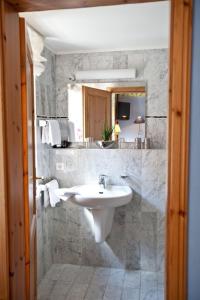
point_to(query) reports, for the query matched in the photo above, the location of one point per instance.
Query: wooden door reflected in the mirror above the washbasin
(97, 111)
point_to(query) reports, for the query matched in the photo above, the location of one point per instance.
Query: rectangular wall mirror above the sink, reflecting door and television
(107, 112)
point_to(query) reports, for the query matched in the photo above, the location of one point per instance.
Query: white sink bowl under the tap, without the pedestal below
(94, 196)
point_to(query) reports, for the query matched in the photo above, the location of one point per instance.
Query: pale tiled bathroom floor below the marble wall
(70, 282)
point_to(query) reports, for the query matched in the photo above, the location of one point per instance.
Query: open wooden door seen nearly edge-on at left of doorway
(27, 90)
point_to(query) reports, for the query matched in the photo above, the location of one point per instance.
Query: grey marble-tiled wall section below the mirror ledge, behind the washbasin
(136, 240)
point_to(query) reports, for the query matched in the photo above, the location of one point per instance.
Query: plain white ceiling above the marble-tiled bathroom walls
(108, 28)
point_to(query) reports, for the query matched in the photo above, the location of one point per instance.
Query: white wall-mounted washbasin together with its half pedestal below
(99, 204)
